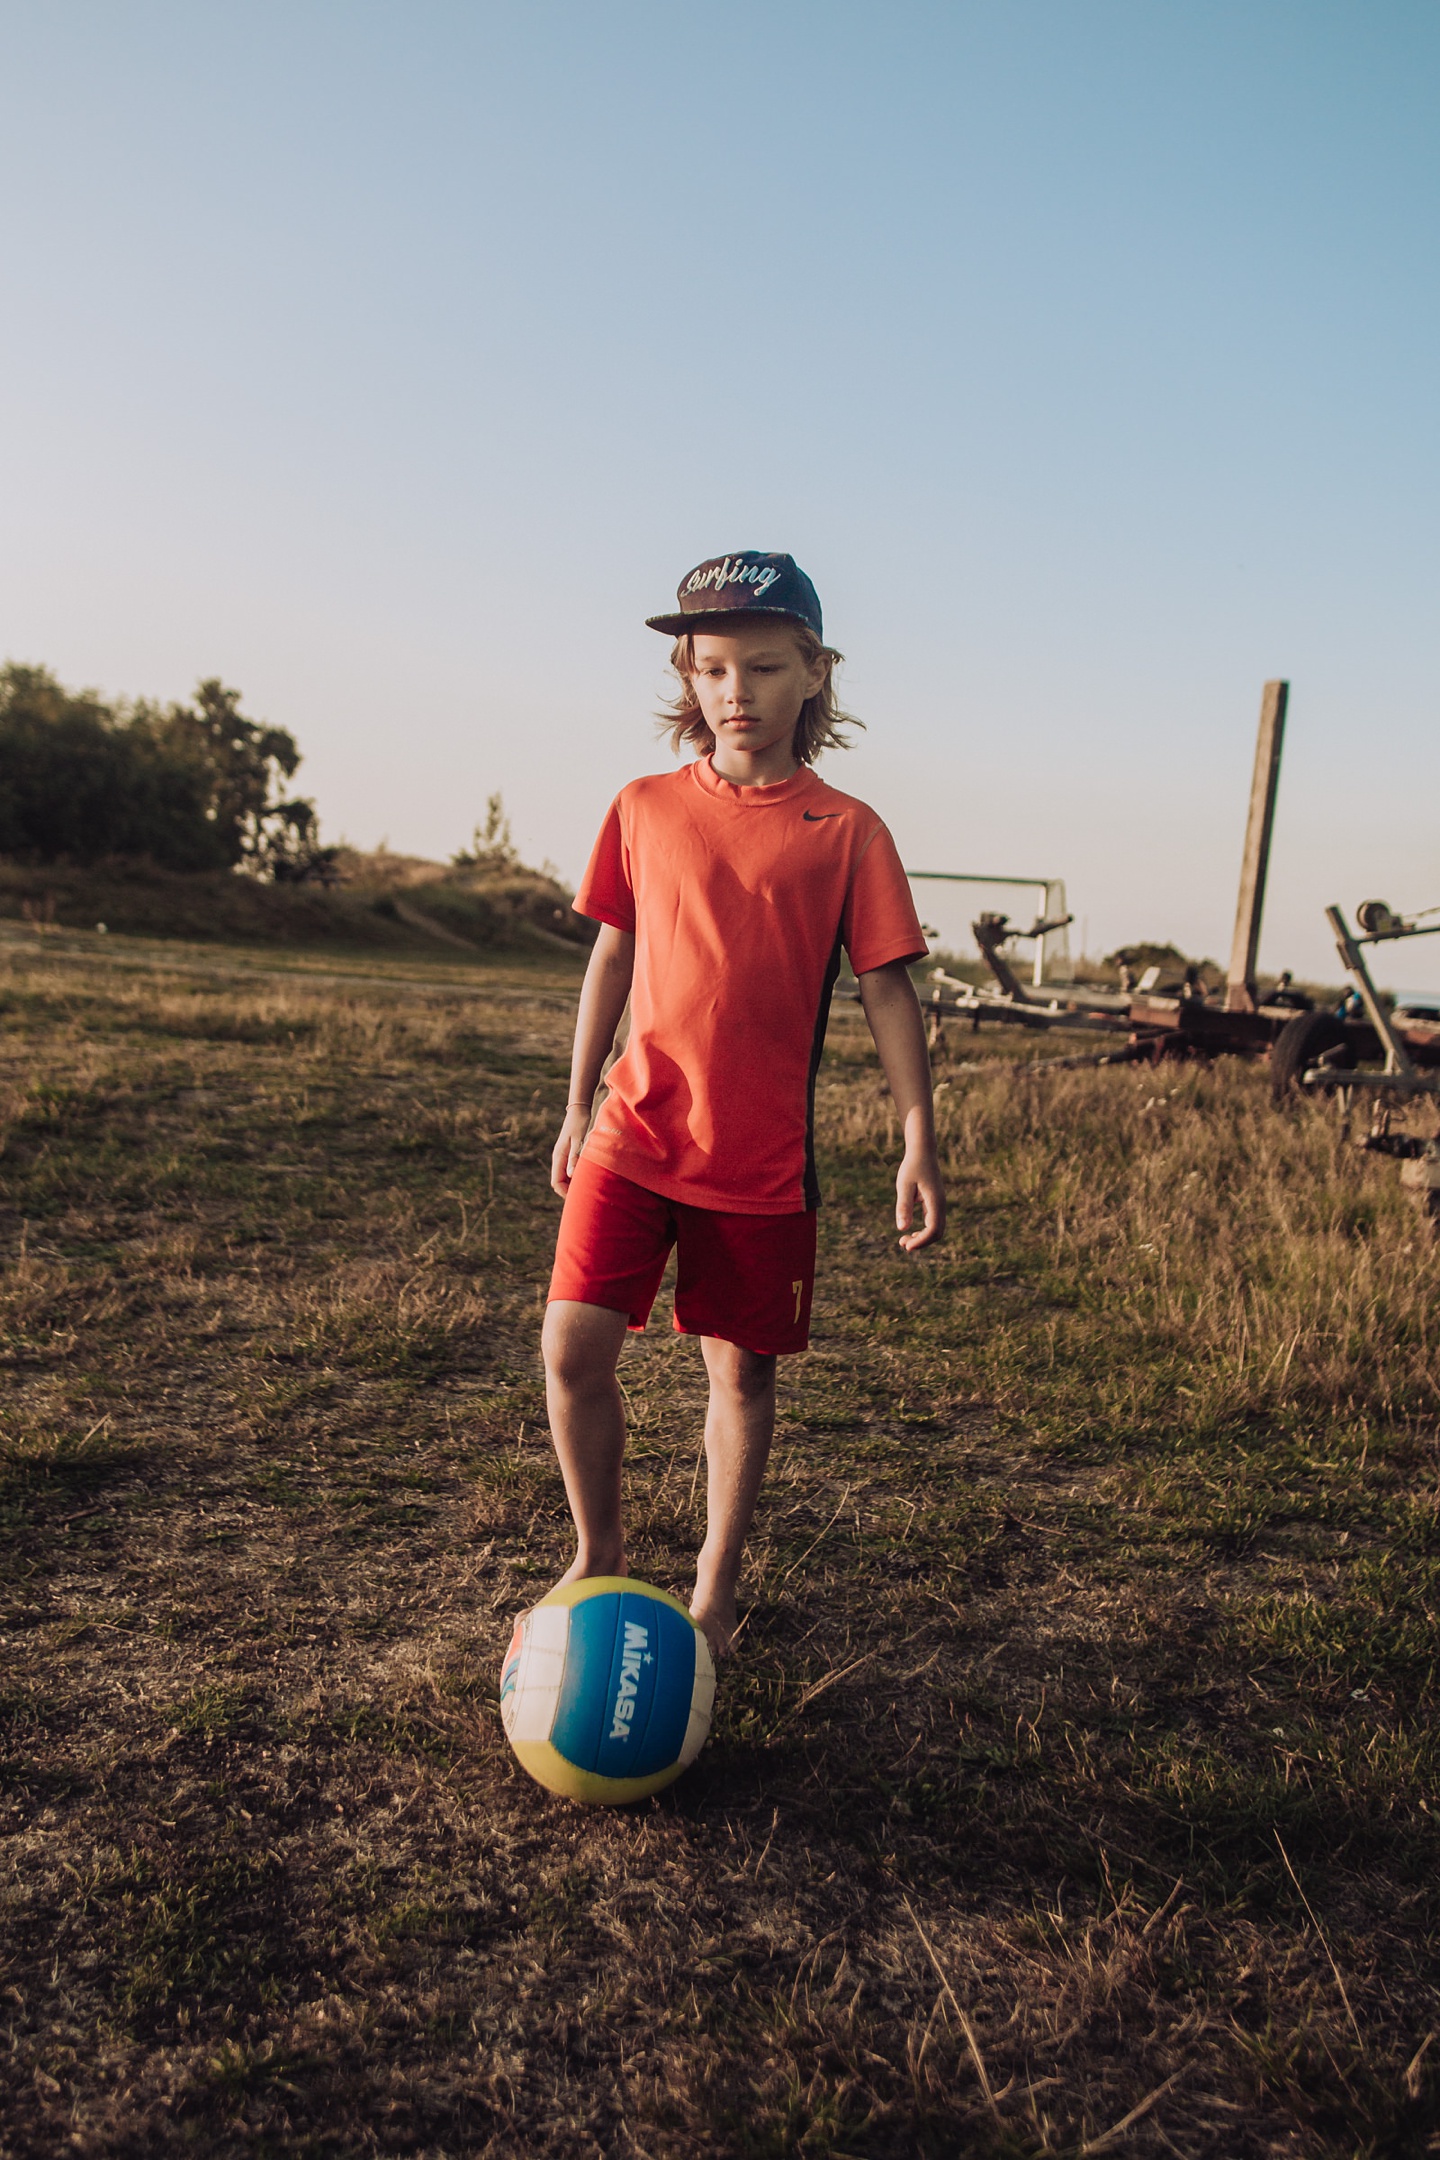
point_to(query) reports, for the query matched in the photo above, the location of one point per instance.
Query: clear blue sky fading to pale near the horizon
(394, 362)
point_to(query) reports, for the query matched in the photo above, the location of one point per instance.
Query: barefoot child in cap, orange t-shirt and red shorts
(724, 893)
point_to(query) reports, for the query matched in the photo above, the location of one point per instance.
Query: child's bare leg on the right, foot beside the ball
(739, 1431)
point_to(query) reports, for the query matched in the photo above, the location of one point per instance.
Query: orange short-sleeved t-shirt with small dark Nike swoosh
(739, 902)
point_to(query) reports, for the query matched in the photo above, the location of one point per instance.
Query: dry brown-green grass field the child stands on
(1074, 1790)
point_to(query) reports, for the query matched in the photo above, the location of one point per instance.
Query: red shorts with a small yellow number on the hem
(746, 1280)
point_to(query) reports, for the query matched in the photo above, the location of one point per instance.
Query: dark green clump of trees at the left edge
(191, 787)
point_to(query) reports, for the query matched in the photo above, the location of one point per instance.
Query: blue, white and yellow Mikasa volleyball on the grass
(608, 1690)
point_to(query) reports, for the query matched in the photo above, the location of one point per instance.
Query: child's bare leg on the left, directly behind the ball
(582, 1349)
